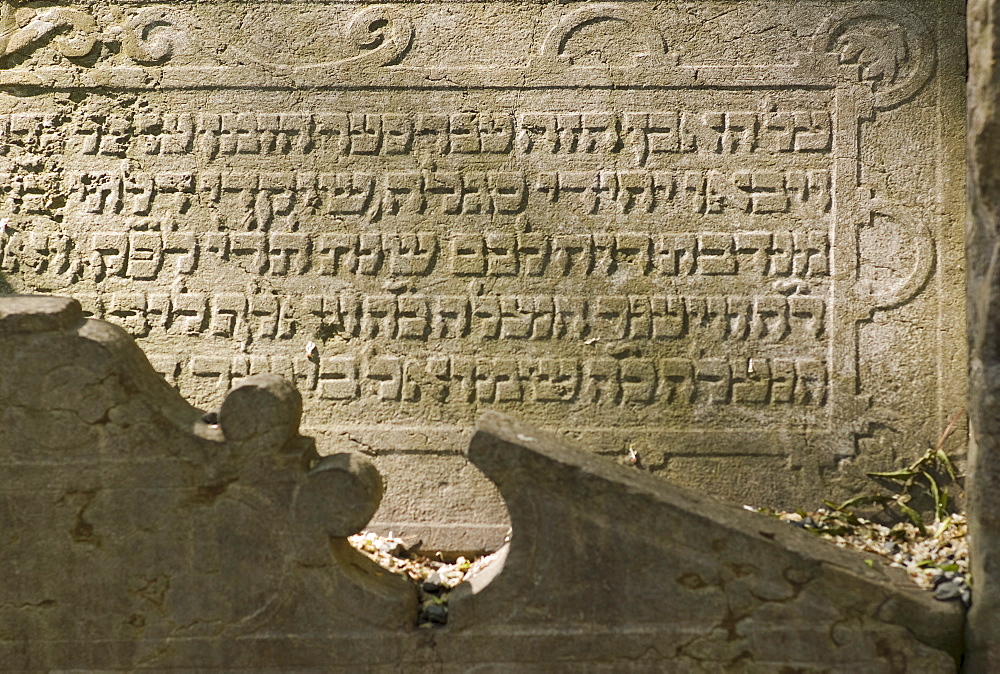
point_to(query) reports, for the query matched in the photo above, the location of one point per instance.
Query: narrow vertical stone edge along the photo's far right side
(983, 245)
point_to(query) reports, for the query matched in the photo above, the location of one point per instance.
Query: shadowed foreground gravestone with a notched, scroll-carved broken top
(137, 535)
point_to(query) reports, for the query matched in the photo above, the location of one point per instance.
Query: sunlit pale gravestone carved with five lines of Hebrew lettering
(723, 237)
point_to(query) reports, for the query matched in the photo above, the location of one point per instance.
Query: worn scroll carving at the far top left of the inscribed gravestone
(73, 33)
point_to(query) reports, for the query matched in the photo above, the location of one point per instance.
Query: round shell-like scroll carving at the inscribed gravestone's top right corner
(893, 53)
